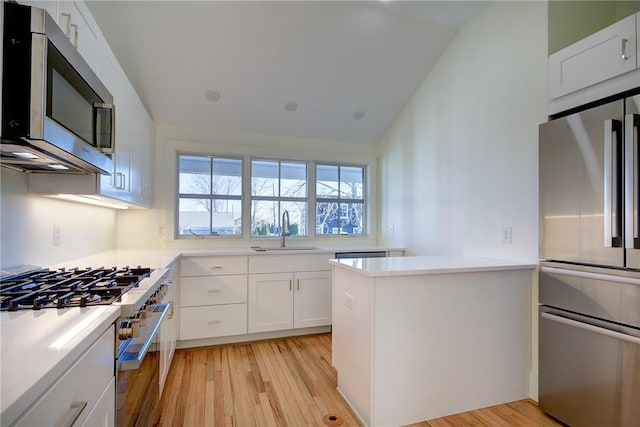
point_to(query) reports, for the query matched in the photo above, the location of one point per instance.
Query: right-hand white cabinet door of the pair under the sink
(312, 301)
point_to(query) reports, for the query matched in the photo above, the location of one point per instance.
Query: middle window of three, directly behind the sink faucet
(277, 186)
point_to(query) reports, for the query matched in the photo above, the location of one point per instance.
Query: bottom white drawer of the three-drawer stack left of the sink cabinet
(213, 321)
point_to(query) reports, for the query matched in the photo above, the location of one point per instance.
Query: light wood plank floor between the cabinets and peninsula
(285, 382)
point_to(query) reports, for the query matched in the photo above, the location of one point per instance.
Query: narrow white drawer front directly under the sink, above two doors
(290, 263)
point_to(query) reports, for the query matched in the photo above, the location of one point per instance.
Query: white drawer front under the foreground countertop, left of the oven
(82, 384)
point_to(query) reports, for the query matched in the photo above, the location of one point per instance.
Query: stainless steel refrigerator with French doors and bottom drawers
(589, 276)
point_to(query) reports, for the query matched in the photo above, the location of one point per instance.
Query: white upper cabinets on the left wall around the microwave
(132, 176)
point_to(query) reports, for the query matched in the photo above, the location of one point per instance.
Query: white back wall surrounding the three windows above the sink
(140, 228)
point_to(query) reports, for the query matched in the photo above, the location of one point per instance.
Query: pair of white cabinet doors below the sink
(289, 300)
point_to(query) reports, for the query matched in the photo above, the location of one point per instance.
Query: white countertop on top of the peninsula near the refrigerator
(418, 265)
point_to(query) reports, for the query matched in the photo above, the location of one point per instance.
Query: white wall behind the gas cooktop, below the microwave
(26, 230)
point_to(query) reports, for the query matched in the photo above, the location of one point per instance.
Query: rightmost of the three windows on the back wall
(339, 199)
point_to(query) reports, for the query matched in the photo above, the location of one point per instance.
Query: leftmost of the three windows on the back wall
(210, 195)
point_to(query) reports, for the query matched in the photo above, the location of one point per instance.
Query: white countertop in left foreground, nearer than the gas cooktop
(39, 345)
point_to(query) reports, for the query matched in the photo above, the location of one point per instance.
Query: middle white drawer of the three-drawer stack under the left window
(212, 290)
